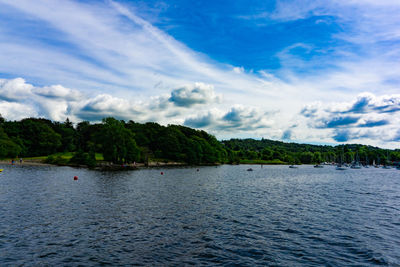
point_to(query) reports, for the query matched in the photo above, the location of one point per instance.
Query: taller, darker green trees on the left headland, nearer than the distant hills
(119, 141)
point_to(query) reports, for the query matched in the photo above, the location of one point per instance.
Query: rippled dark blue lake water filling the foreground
(218, 216)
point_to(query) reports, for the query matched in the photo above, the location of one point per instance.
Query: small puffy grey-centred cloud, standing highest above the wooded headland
(199, 93)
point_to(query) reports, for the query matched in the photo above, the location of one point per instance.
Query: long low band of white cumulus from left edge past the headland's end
(57, 102)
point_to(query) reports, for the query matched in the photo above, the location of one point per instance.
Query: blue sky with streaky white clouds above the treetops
(319, 72)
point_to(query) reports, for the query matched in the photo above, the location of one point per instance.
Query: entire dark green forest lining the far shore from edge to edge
(126, 142)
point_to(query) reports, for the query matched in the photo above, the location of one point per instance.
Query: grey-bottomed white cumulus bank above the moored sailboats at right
(368, 117)
